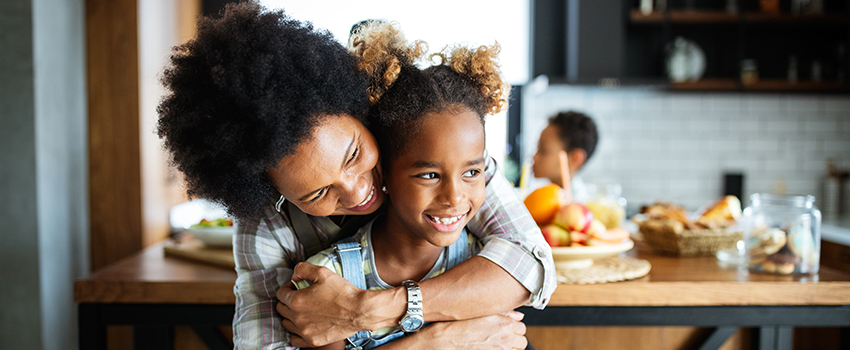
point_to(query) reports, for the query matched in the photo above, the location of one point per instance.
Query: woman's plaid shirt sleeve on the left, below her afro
(265, 251)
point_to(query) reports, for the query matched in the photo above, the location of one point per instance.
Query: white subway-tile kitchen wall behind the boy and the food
(676, 146)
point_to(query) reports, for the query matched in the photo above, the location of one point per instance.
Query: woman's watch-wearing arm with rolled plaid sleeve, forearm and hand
(514, 268)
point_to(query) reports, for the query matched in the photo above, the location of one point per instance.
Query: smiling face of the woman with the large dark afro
(334, 172)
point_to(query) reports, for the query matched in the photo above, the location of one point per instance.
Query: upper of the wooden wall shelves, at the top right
(723, 17)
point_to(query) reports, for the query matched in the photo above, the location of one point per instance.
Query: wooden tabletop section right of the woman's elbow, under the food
(703, 281)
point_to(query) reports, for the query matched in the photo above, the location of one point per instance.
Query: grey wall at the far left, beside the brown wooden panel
(43, 179)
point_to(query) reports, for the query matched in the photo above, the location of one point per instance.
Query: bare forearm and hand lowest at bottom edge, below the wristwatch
(504, 331)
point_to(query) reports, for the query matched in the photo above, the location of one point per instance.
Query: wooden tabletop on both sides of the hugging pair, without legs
(151, 277)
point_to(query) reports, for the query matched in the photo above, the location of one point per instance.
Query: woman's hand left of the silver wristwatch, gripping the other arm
(332, 309)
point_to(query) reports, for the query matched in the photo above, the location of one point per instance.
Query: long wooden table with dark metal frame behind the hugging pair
(154, 293)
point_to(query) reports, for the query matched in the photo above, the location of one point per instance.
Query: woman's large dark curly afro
(244, 93)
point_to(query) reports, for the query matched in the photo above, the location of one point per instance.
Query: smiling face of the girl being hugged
(437, 184)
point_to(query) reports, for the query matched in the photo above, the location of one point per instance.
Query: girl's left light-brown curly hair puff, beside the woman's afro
(381, 51)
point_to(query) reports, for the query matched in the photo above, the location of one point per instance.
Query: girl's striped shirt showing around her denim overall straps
(330, 259)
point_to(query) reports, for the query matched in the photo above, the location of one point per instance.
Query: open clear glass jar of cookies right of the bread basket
(782, 234)
